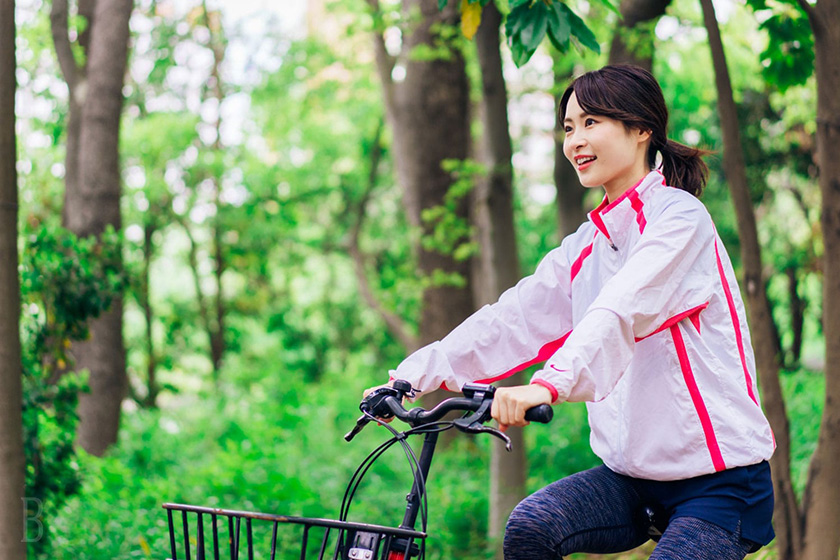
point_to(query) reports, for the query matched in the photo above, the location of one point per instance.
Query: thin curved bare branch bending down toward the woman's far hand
(394, 322)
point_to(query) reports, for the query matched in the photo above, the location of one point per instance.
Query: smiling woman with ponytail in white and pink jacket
(638, 313)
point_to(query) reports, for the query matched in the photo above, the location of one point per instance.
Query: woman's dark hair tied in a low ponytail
(632, 95)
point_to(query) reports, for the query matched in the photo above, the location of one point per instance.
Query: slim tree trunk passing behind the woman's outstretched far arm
(497, 264)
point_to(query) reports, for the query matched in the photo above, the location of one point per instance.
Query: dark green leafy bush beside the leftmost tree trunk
(65, 282)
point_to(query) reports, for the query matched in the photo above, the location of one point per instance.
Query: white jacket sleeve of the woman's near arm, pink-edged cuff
(668, 273)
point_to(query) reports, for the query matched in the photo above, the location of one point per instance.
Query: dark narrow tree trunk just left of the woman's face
(570, 193)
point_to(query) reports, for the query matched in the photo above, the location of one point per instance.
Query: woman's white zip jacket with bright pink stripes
(639, 314)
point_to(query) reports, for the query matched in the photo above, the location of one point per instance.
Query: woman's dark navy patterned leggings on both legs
(594, 511)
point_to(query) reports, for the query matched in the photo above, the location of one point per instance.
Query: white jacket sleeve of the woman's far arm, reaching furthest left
(500, 339)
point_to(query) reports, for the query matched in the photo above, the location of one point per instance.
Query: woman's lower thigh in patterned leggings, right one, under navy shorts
(689, 537)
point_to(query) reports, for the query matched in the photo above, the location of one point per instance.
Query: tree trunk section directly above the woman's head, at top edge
(632, 42)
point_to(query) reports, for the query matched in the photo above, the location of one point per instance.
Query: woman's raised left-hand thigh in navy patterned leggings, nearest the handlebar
(591, 511)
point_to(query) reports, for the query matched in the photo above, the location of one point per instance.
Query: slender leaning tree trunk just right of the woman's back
(786, 515)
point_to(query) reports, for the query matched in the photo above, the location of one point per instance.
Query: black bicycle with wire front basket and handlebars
(347, 540)
